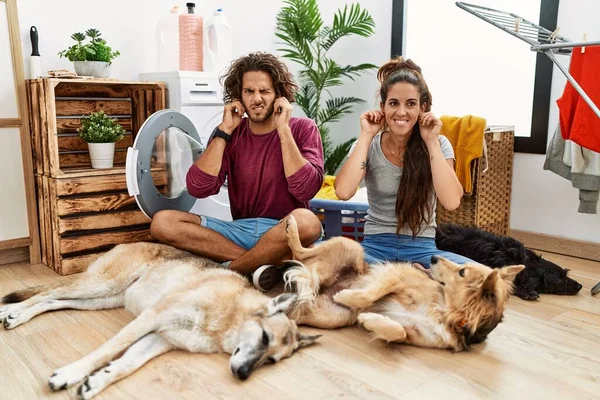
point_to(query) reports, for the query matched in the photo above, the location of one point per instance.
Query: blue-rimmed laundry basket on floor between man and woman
(341, 218)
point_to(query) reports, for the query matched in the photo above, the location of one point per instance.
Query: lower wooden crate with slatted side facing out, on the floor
(83, 217)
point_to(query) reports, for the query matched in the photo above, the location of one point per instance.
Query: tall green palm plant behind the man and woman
(307, 41)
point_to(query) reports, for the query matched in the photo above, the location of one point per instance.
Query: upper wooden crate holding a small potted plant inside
(57, 107)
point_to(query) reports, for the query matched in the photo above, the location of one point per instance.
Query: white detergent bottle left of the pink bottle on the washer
(167, 41)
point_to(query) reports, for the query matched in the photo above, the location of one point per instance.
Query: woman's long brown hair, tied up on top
(413, 201)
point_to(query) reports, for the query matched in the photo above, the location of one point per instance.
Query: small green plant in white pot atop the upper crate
(93, 58)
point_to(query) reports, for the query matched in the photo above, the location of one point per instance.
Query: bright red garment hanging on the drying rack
(578, 122)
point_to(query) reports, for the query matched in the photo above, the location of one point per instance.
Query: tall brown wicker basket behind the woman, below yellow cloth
(488, 206)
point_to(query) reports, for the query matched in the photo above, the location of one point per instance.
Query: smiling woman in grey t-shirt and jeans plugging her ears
(406, 165)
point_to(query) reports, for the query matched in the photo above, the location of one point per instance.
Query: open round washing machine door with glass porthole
(164, 149)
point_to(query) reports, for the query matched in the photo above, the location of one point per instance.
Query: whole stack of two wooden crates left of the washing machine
(84, 212)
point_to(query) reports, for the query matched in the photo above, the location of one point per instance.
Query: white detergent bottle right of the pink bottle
(219, 43)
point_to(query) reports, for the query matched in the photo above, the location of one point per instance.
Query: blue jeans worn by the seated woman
(383, 247)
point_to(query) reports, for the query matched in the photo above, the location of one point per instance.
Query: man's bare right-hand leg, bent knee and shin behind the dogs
(272, 248)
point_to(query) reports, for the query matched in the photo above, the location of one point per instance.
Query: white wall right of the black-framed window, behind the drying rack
(543, 201)
